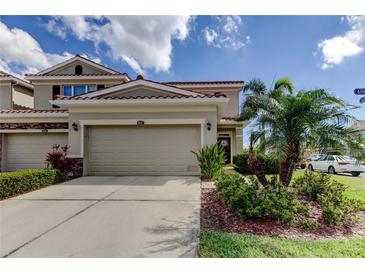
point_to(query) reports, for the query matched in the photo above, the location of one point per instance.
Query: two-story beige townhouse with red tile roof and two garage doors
(118, 126)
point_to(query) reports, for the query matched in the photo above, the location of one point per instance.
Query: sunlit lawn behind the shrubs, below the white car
(356, 185)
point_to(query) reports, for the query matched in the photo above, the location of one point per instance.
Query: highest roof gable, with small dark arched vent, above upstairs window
(67, 67)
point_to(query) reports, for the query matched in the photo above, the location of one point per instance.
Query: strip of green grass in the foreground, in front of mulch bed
(231, 245)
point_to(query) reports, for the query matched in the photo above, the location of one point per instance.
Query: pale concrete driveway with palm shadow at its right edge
(129, 216)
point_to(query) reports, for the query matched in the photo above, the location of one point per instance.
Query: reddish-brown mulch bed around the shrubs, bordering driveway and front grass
(215, 216)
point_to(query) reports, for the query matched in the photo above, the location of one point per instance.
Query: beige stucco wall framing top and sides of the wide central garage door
(75, 136)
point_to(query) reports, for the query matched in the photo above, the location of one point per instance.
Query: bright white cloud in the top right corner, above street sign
(336, 49)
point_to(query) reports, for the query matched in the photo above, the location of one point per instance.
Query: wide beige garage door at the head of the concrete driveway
(145, 150)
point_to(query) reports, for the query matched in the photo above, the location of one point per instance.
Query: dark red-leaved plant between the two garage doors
(58, 159)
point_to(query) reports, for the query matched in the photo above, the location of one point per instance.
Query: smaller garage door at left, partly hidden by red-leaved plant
(28, 150)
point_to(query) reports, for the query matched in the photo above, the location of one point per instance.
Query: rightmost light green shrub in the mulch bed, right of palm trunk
(336, 208)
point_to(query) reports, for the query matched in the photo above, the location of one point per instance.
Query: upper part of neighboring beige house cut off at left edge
(15, 93)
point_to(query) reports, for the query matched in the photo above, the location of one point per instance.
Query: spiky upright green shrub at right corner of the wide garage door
(211, 160)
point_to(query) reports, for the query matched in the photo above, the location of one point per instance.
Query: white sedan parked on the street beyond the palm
(337, 164)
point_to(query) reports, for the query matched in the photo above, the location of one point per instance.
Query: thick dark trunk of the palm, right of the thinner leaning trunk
(287, 165)
